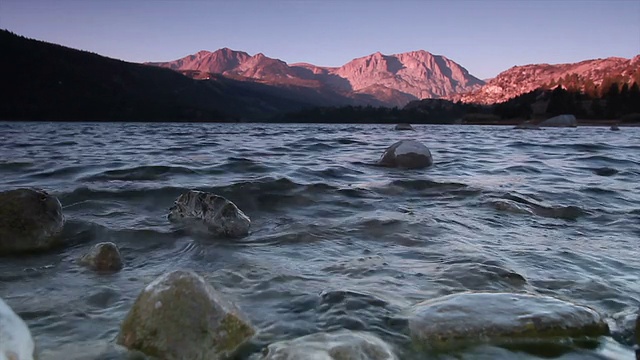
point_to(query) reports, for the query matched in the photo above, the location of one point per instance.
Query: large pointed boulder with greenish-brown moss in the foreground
(180, 316)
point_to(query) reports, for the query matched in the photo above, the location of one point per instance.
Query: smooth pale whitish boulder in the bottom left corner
(16, 342)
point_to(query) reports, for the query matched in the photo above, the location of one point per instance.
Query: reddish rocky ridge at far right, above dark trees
(588, 76)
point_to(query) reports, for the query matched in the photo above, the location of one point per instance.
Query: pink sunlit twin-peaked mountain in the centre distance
(376, 79)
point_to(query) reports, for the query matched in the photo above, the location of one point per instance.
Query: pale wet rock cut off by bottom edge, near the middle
(340, 345)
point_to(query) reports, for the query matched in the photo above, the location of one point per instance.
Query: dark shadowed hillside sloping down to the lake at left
(50, 82)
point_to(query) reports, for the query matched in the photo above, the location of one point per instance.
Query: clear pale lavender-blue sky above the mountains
(486, 37)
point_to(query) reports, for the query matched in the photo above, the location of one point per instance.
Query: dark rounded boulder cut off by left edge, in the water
(30, 220)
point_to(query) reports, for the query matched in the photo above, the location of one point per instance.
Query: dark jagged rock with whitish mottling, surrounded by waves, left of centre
(209, 213)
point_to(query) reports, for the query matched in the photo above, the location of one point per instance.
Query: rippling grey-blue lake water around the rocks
(335, 242)
